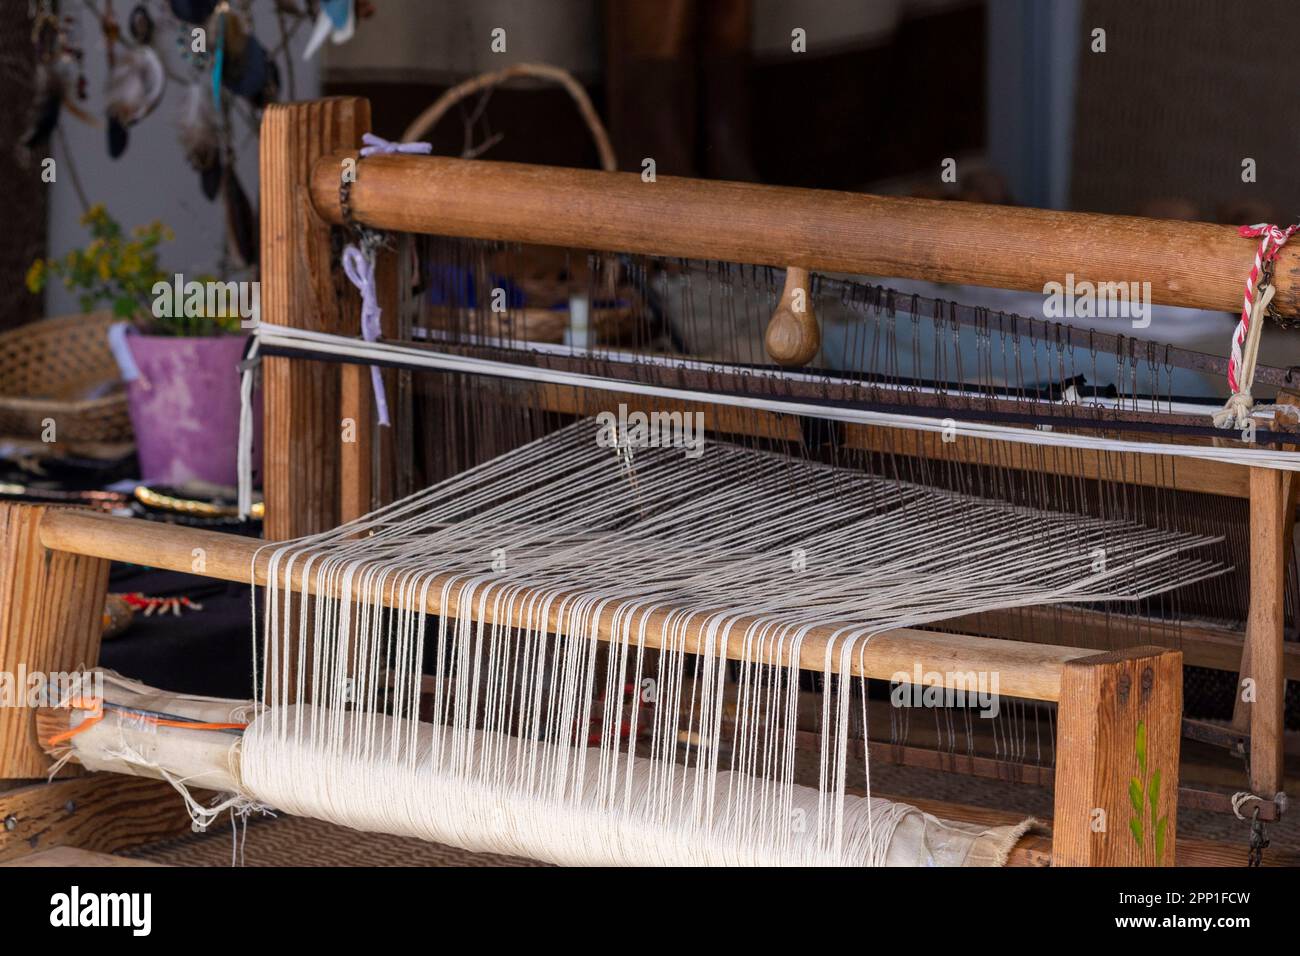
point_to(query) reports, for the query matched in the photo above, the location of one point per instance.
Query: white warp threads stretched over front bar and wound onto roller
(525, 747)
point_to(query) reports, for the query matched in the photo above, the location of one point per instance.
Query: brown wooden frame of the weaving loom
(57, 561)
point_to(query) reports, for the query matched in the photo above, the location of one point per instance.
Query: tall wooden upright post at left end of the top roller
(301, 289)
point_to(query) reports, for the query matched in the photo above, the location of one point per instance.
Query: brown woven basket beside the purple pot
(63, 370)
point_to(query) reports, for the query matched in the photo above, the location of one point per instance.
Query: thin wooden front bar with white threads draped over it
(1024, 671)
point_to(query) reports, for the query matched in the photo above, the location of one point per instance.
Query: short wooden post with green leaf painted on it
(1119, 734)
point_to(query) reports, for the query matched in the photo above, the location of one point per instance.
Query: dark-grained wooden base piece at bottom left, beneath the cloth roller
(98, 812)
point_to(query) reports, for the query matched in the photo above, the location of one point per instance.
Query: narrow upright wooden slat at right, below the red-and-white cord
(1264, 659)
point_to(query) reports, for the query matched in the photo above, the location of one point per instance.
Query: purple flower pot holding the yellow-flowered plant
(185, 409)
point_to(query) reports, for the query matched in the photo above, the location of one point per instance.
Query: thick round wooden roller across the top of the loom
(1195, 265)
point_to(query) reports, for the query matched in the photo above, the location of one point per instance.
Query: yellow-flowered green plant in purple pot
(179, 354)
